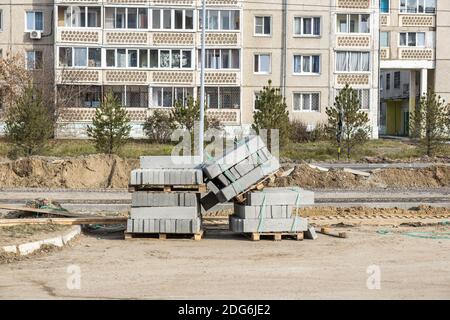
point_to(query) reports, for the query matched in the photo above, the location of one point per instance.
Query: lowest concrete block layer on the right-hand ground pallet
(268, 225)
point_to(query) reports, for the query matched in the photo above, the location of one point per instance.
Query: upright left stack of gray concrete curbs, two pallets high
(156, 211)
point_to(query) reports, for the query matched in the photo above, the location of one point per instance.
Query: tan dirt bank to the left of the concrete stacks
(85, 172)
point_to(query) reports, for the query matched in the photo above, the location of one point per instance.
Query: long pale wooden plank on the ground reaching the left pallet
(63, 221)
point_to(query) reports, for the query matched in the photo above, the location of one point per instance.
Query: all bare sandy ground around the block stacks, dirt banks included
(384, 232)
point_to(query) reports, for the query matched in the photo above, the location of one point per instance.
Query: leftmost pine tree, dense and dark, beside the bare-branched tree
(29, 123)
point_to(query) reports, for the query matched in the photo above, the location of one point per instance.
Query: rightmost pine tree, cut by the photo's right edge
(430, 121)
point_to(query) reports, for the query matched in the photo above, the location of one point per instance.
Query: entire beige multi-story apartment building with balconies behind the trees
(147, 53)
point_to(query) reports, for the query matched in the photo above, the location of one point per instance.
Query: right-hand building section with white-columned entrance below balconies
(414, 57)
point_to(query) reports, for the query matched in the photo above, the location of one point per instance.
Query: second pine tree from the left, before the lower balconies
(110, 125)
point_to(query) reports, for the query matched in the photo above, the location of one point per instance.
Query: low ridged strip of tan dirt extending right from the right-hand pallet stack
(365, 211)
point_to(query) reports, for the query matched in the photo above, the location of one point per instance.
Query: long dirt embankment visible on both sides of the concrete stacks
(102, 171)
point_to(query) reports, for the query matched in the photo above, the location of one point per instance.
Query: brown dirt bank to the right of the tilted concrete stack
(306, 177)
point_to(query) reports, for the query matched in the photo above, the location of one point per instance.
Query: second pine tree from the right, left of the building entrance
(347, 125)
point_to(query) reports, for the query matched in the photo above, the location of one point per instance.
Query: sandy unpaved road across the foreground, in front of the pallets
(225, 266)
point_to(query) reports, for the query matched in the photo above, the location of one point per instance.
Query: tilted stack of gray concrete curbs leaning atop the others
(237, 170)
